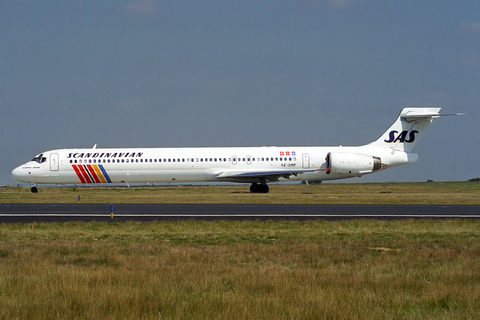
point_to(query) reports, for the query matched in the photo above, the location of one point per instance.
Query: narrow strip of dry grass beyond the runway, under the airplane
(370, 193)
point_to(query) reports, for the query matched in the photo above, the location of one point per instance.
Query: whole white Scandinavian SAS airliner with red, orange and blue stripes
(254, 165)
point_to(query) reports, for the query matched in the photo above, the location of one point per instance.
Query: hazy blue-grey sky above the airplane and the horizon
(152, 73)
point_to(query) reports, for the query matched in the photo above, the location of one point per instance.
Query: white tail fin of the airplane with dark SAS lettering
(409, 126)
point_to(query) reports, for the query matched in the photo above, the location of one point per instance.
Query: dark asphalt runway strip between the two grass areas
(30, 212)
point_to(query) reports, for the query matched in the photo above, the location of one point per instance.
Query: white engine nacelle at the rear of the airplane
(352, 163)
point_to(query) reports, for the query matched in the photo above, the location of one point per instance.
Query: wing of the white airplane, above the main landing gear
(271, 175)
